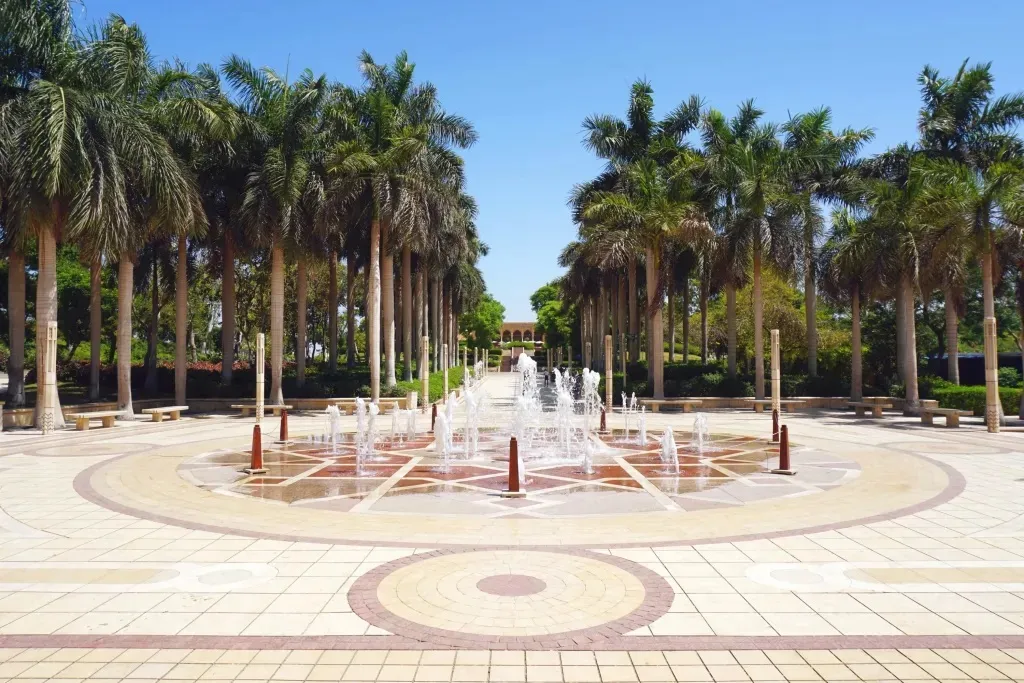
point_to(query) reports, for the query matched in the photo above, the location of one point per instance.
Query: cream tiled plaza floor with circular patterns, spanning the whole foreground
(144, 553)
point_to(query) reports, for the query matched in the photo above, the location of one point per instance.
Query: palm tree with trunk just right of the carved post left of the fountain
(287, 116)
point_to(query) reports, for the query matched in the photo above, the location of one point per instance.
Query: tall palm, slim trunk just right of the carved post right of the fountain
(822, 167)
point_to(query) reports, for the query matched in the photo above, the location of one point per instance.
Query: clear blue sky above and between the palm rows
(527, 74)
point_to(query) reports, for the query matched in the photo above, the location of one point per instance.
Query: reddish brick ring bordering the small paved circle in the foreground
(363, 599)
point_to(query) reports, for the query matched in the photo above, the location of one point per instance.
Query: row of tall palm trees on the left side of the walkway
(106, 149)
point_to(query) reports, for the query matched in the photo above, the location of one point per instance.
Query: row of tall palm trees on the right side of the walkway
(698, 195)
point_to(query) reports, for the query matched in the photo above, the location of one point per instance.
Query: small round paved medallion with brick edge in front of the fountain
(537, 597)
